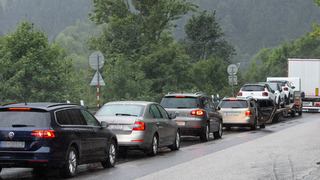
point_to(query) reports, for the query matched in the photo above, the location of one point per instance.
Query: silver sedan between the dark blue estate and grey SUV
(141, 125)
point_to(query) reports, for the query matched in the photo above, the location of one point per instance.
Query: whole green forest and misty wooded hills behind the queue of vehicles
(151, 48)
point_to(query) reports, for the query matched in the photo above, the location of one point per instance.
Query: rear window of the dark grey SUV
(179, 102)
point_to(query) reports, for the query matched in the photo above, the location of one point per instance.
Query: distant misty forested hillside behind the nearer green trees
(248, 24)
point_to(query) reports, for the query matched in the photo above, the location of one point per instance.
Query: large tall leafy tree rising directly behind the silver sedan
(142, 60)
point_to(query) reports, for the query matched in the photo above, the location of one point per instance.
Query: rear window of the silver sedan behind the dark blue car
(121, 110)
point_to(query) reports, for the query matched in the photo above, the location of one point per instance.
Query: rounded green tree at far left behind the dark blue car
(33, 70)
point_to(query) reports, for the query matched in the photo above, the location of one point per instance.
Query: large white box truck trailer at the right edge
(309, 72)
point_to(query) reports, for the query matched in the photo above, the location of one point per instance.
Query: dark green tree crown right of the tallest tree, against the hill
(204, 38)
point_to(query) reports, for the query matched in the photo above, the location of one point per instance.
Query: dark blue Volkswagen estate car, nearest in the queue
(53, 136)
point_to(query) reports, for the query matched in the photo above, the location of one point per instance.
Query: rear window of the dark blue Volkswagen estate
(24, 119)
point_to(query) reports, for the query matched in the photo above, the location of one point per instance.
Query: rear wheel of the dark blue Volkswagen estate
(70, 168)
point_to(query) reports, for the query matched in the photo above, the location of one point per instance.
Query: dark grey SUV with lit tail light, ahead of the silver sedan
(195, 114)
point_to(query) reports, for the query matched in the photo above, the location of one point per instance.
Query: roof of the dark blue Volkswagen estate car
(40, 105)
